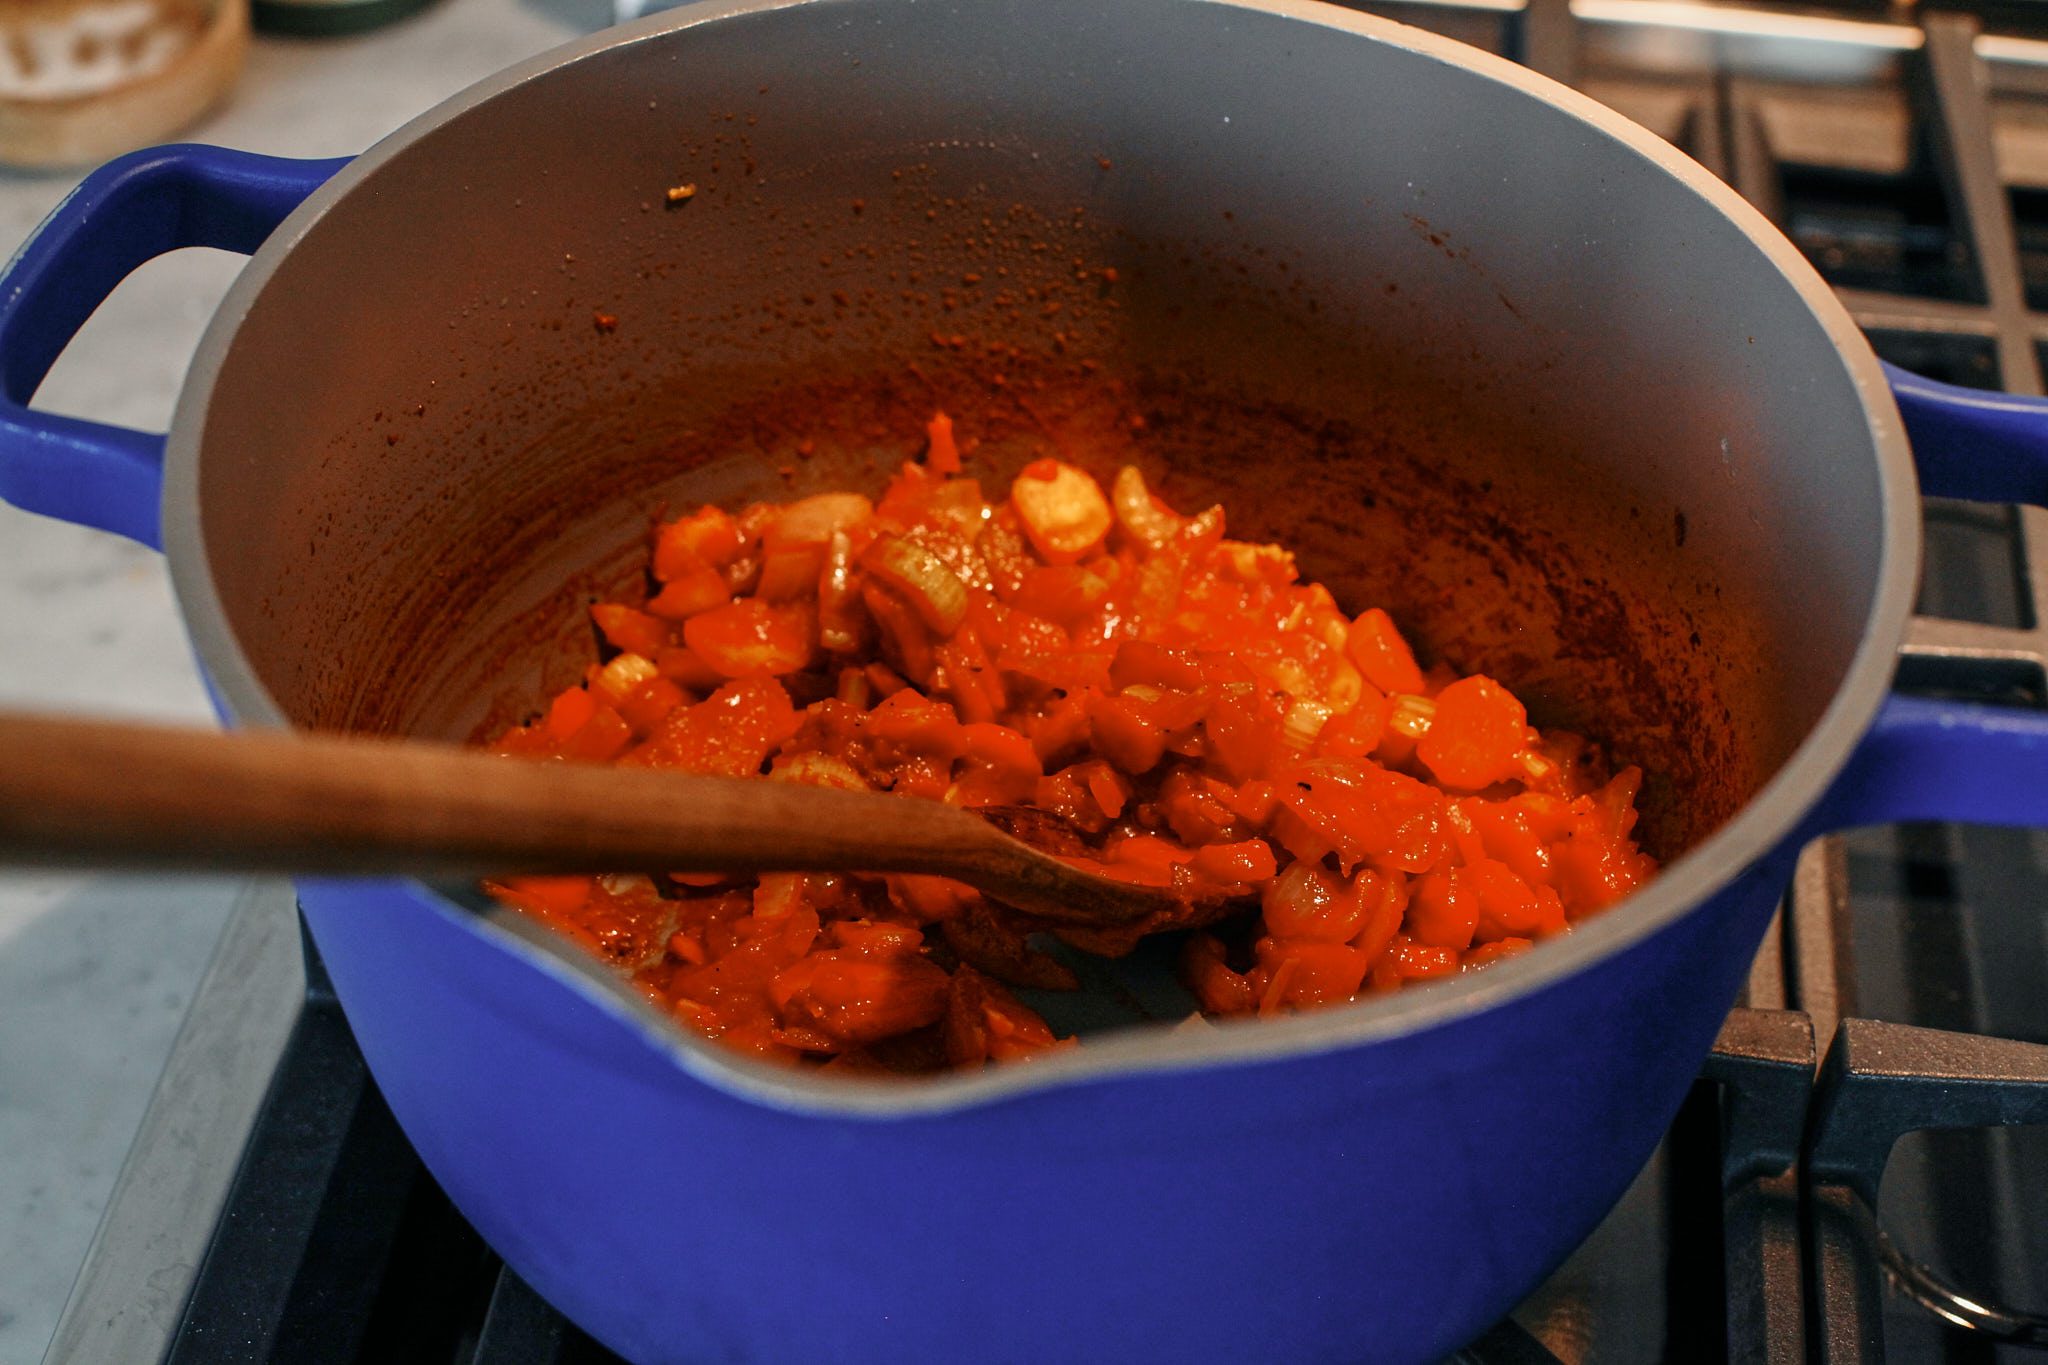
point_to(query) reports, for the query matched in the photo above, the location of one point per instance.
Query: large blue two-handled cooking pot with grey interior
(1478, 349)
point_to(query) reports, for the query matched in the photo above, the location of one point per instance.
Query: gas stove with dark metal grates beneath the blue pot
(1861, 1174)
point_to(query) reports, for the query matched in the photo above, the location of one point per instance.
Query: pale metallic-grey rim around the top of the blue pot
(1682, 889)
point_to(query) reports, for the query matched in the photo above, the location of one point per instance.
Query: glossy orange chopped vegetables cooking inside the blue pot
(1105, 676)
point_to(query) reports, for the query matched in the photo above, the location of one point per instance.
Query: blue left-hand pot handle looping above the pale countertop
(124, 214)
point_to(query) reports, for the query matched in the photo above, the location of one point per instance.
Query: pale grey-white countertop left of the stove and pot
(95, 971)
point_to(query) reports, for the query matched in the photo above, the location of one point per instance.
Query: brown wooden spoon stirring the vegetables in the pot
(97, 795)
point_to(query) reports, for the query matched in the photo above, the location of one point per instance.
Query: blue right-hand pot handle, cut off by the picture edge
(1969, 762)
